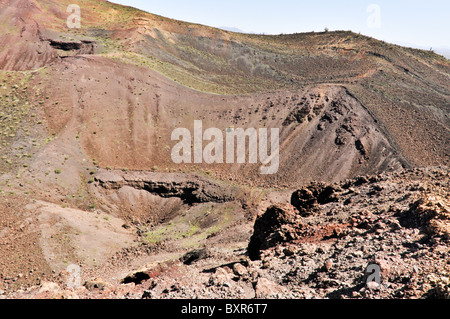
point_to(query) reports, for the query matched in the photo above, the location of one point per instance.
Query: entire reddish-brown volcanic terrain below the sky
(87, 177)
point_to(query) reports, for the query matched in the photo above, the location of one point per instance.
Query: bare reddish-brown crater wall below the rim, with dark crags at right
(123, 117)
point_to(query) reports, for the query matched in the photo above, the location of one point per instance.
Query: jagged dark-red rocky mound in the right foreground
(383, 236)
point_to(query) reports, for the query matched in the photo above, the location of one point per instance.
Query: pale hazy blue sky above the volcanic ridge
(419, 23)
